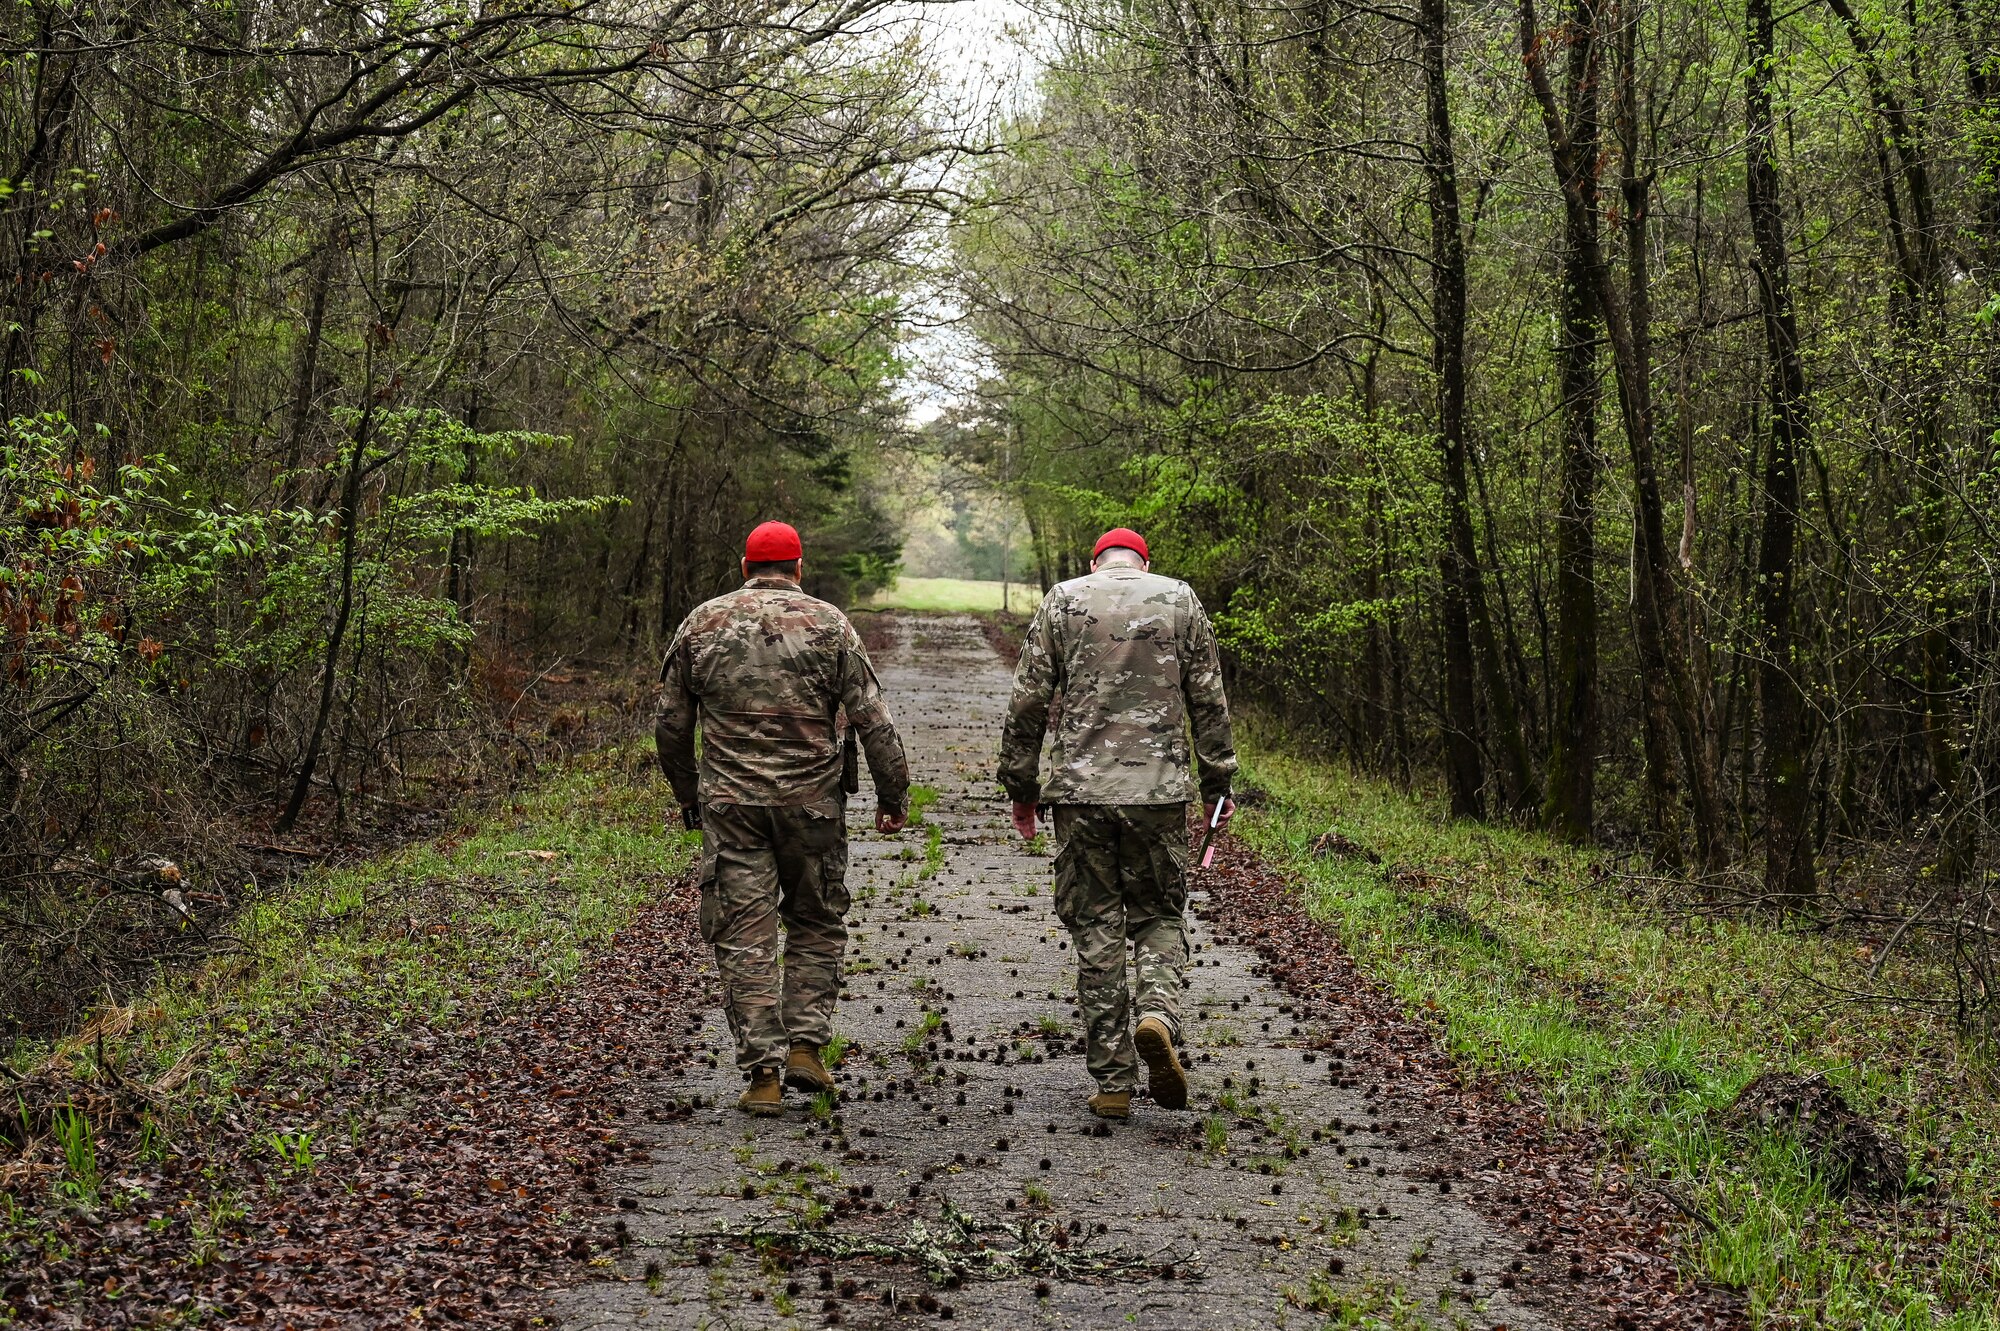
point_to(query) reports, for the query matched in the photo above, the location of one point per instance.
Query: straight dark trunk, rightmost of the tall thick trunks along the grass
(1789, 872)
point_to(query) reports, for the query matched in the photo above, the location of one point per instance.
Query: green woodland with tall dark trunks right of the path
(1211, 305)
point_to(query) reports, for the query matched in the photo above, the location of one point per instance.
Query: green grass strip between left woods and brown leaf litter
(427, 936)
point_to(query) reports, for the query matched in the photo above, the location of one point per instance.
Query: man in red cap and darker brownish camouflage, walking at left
(769, 672)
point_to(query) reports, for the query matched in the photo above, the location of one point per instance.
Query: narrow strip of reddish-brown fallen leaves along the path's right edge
(1597, 1248)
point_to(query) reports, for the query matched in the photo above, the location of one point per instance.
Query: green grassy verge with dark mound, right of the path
(1649, 1024)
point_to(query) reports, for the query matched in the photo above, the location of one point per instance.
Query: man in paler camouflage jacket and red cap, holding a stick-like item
(1133, 661)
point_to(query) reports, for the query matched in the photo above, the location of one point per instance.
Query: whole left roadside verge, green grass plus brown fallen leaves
(389, 1100)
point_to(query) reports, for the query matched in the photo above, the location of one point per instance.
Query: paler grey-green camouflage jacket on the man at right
(1133, 661)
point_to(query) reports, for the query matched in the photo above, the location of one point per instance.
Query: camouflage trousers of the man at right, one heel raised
(1123, 874)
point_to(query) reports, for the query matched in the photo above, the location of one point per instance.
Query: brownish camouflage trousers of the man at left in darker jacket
(763, 866)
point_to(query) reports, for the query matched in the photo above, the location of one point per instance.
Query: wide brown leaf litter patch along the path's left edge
(447, 1178)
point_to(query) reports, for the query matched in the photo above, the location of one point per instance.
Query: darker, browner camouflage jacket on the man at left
(767, 670)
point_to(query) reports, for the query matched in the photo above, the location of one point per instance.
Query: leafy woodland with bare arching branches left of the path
(291, 427)
